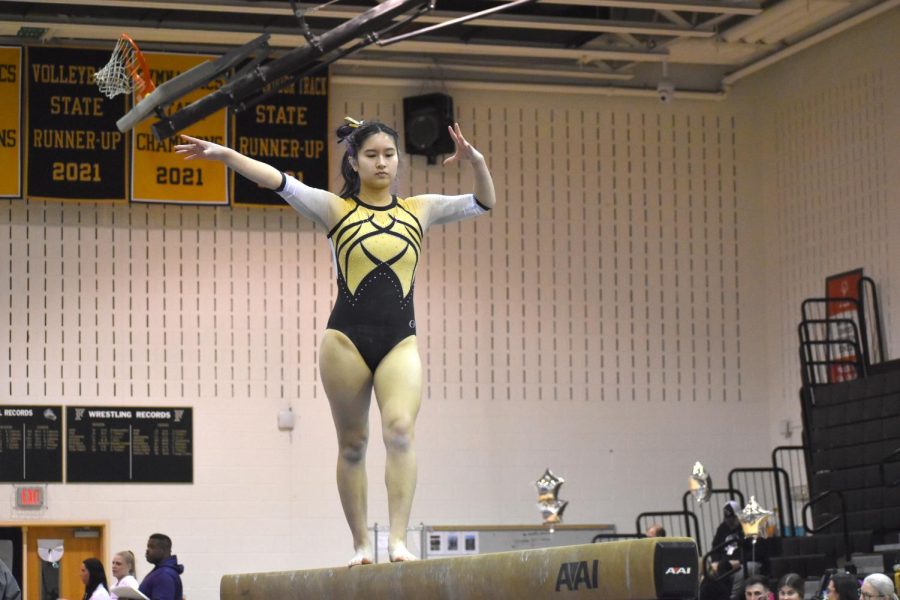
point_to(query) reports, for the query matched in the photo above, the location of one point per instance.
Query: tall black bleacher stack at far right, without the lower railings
(850, 404)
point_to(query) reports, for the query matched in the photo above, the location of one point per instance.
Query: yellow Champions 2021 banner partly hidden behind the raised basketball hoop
(160, 175)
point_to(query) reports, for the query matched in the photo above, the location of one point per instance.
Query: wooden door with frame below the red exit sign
(76, 550)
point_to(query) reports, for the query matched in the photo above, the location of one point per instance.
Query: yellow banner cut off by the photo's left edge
(10, 122)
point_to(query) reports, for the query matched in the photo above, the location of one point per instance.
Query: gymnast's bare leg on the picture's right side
(398, 390)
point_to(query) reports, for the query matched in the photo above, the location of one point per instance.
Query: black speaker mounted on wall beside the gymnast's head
(425, 120)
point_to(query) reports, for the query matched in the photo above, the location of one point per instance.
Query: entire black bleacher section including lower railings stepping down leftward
(840, 508)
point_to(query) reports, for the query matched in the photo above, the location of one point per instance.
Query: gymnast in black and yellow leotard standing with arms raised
(370, 340)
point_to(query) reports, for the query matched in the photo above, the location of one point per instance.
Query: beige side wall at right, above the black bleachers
(825, 126)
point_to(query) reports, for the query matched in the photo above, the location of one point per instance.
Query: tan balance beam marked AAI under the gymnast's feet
(642, 569)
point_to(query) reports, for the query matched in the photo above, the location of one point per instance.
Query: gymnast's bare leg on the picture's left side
(348, 384)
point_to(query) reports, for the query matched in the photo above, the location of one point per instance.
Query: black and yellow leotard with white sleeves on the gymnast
(376, 251)
